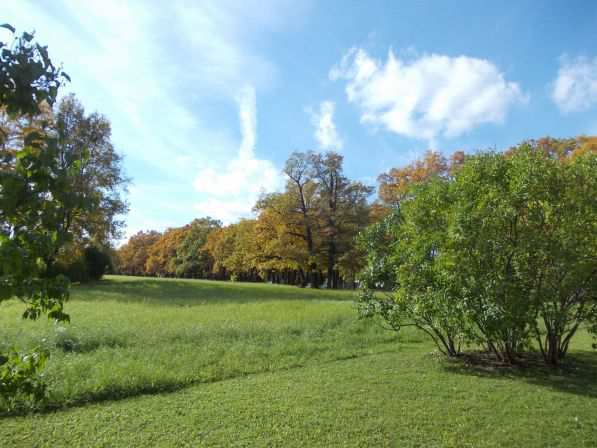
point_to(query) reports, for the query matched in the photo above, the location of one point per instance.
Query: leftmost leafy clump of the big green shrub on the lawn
(405, 253)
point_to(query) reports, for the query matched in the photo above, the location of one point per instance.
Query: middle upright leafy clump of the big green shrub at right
(486, 245)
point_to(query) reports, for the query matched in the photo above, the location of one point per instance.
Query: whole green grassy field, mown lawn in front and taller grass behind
(190, 363)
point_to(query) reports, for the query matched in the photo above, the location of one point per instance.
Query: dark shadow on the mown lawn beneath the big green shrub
(577, 375)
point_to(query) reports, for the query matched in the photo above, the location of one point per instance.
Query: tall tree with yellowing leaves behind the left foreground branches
(89, 165)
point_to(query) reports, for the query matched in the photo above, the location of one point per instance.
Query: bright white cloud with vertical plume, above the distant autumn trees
(231, 191)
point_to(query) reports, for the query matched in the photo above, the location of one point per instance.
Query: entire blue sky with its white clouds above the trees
(208, 98)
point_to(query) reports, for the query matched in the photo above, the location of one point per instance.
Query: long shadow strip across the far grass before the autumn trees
(195, 292)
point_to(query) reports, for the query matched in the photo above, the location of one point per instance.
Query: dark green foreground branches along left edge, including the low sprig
(34, 194)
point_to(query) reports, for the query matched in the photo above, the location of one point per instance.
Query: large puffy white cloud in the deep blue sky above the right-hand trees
(427, 97)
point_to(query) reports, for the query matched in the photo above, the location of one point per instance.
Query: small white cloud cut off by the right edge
(575, 88)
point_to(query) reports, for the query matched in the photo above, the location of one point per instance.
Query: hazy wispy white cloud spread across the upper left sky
(167, 75)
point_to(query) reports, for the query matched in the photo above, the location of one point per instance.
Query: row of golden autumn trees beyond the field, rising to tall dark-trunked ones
(304, 235)
